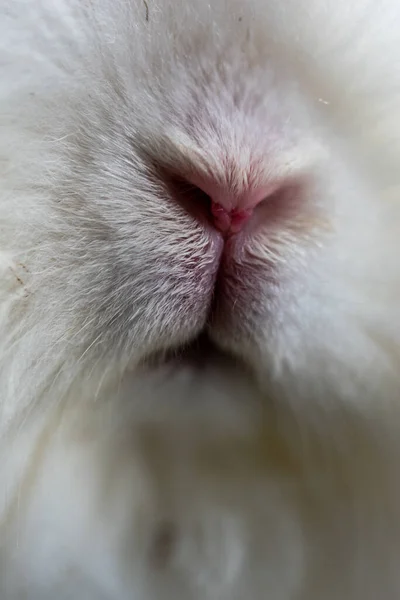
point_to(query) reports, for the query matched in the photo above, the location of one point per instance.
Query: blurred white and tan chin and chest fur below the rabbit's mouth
(184, 483)
